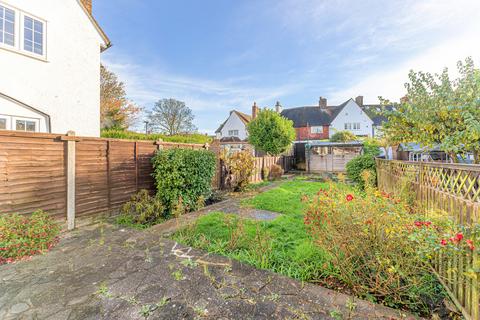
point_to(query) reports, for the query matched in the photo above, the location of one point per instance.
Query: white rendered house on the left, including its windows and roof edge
(50, 66)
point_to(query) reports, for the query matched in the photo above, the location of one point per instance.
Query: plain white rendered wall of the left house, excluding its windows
(65, 85)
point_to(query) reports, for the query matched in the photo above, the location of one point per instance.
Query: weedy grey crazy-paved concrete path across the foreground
(105, 272)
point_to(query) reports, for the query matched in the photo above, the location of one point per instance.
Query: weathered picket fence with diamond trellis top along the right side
(453, 190)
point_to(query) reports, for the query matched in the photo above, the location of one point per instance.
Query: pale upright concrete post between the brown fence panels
(70, 180)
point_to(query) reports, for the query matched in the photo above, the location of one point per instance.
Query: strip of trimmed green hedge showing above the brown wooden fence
(186, 138)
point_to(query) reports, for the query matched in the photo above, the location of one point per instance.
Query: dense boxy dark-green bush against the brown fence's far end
(183, 176)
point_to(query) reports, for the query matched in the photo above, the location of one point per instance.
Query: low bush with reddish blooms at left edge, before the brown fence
(24, 236)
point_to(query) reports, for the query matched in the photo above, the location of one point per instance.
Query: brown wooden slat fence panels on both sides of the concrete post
(108, 172)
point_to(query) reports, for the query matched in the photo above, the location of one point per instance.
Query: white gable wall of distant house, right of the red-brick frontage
(352, 113)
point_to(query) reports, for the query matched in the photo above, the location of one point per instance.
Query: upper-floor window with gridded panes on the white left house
(22, 32)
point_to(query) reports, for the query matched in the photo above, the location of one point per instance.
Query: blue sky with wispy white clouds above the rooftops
(219, 55)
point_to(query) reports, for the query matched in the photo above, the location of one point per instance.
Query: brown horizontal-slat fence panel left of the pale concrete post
(33, 175)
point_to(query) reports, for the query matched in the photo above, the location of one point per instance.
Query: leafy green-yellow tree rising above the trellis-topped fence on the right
(438, 111)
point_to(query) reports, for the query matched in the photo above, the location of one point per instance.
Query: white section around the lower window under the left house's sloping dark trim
(11, 112)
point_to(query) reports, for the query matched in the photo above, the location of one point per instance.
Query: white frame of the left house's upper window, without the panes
(19, 36)
